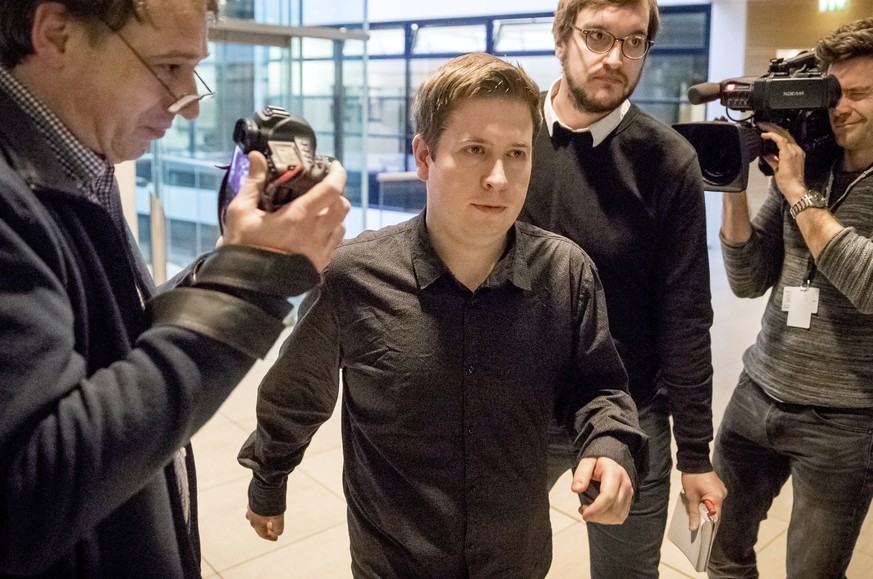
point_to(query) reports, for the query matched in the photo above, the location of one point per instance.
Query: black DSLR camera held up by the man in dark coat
(288, 143)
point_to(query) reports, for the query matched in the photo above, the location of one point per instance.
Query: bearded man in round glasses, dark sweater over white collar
(628, 190)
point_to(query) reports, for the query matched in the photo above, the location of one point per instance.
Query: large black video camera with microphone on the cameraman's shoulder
(793, 94)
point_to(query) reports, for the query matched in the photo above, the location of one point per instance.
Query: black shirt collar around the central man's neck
(511, 268)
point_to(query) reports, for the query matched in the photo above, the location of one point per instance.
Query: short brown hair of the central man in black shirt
(474, 75)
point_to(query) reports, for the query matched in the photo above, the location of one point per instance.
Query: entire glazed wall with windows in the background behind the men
(356, 94)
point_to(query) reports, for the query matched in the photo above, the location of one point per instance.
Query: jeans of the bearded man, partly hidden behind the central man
(631, 550)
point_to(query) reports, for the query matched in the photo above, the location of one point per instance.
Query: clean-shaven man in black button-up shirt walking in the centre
(460, 334)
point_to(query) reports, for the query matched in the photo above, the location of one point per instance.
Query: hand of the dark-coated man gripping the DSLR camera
(312, 225)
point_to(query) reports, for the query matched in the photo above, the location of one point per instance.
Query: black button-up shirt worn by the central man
(447, 398)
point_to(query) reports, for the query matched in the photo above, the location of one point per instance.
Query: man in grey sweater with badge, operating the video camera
(804, 403)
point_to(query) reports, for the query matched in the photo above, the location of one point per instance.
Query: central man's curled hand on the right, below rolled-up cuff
(613, 502)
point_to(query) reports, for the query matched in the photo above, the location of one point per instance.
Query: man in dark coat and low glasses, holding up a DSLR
(101, 382)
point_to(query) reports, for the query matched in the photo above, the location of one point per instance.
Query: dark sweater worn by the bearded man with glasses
(635, 203)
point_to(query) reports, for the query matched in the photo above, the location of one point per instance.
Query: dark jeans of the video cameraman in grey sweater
(826, 451)
